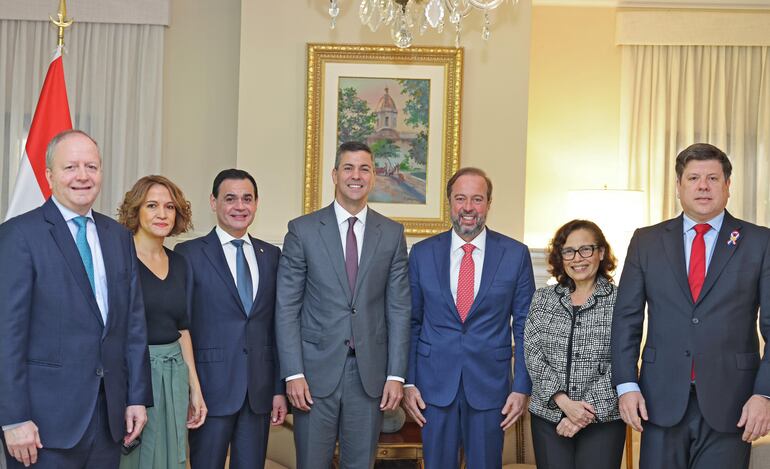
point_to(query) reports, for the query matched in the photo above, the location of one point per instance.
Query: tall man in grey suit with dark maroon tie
(342, 319)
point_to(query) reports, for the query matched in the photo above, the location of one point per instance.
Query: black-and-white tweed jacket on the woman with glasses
(551, 331)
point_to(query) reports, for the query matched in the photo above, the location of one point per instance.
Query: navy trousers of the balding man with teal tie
(95, 450)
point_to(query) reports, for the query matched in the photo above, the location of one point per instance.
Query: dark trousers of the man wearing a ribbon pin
(692, 444)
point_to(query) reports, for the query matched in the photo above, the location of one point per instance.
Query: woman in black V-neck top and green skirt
(154, 209)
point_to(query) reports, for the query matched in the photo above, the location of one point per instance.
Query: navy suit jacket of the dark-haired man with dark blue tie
(234, 352)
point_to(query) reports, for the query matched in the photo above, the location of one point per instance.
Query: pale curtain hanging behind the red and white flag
(114, 75)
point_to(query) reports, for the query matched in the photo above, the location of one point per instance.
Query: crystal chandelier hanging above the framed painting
(406, 16)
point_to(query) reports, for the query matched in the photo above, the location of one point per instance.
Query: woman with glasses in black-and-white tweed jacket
(575, 419)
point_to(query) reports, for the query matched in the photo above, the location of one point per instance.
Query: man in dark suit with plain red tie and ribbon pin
(702, 276)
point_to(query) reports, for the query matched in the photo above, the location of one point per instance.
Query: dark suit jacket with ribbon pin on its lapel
(719, 331)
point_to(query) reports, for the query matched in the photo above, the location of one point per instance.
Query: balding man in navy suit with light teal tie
(74, 367)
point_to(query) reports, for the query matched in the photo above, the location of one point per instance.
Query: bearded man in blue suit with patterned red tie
(468, 285)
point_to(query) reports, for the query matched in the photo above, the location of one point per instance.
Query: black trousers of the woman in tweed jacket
(598, 446)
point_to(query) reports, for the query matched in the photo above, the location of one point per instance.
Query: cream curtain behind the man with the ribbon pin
(673, 96)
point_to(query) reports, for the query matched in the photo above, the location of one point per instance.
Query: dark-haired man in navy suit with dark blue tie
(232, 313)
